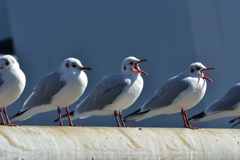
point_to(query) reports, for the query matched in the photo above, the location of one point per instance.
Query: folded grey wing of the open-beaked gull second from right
(166, 94)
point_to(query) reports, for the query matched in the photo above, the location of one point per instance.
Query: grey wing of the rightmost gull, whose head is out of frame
(227, 102)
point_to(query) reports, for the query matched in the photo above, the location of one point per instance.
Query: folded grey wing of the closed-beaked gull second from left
(45, 90)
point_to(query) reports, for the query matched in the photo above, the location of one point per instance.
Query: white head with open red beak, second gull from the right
(196, 70)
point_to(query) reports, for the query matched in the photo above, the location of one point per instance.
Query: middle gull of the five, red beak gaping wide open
(113, 93)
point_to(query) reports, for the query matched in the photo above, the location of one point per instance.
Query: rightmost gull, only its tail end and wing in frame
(227, 106)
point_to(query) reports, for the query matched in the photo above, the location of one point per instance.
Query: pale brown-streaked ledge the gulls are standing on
(53, 142)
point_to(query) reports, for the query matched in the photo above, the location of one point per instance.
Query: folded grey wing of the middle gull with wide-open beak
(104, 93)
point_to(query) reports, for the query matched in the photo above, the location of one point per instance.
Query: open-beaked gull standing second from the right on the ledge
(179, 93)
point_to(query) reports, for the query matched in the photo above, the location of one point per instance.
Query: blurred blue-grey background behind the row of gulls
(171, 34)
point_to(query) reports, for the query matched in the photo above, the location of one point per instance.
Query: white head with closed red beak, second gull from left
(72, 64)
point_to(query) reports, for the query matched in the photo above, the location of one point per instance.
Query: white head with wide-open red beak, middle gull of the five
(130, 66)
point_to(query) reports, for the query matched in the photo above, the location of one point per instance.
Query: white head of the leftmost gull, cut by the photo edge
(7, 62)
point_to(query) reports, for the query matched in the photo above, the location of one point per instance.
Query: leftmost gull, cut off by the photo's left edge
(12, 84)
